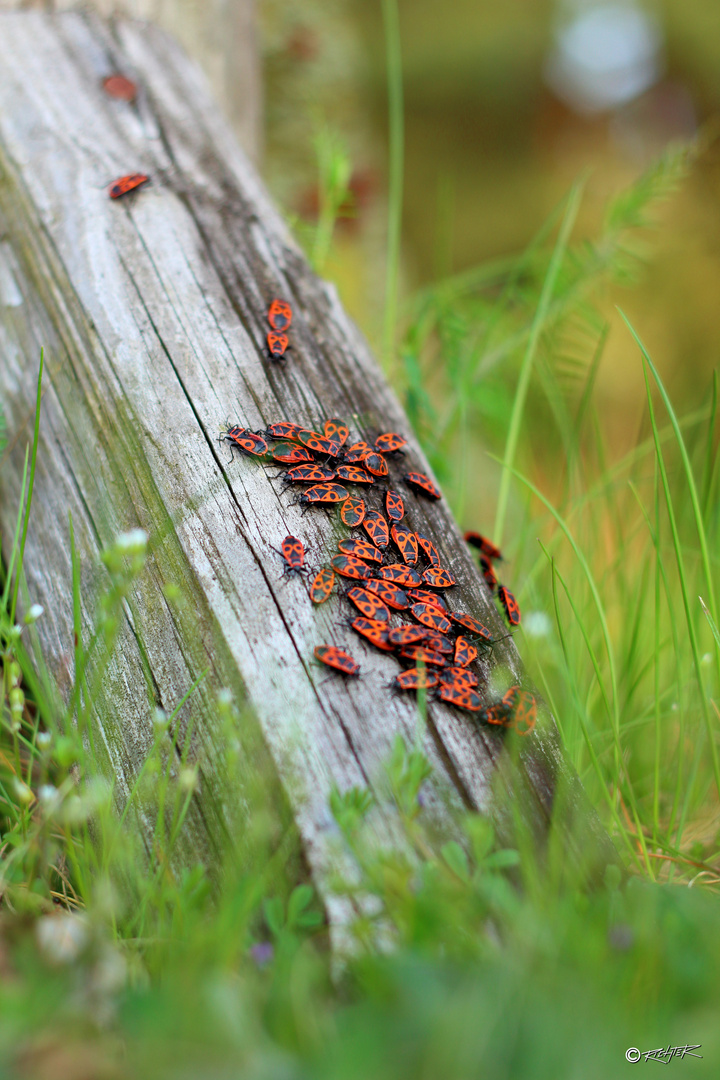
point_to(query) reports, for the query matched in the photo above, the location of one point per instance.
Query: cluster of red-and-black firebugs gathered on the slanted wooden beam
(390, 573)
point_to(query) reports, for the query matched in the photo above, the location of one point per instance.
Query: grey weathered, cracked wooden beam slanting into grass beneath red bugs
(153, 315)
